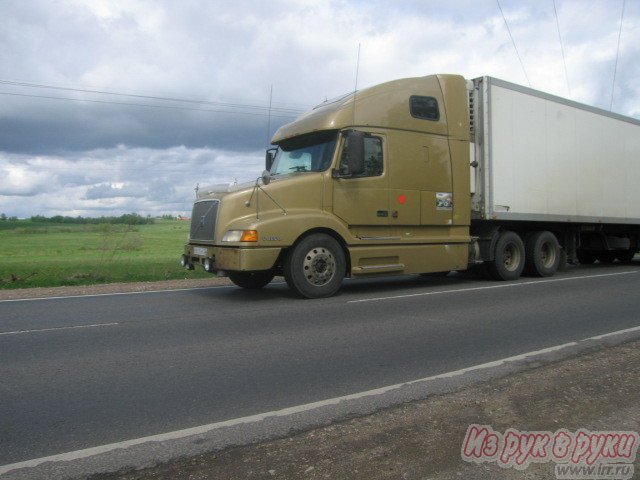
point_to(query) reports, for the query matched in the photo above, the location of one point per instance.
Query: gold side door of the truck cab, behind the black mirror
(363, 200)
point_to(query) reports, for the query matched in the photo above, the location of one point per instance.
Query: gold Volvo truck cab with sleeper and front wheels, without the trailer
(374, 183)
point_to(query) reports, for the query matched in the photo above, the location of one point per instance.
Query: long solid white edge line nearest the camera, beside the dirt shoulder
(178, 434)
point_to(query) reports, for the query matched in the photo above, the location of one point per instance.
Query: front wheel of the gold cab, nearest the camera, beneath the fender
(315, 267)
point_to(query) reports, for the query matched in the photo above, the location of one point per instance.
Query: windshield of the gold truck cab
(308, 153)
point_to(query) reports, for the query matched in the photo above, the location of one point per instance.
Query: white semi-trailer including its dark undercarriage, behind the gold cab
(551, 167)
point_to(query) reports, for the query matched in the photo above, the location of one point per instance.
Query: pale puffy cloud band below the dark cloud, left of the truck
(112, 181)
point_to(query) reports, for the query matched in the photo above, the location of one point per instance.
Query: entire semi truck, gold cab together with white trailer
(427, 175)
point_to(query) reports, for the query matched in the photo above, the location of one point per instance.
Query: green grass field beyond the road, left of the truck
(47, 255)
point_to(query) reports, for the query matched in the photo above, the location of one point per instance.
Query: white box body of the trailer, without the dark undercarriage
(545, 158)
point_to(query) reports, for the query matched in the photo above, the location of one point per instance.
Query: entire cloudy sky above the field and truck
(116, 106)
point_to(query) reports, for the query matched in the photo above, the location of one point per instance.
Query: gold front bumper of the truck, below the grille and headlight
(231, 258)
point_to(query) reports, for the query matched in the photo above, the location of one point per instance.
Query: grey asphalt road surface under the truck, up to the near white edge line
(82, 372)
